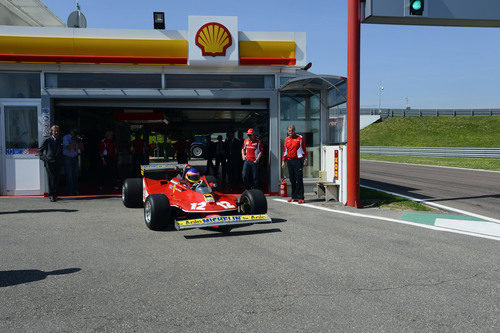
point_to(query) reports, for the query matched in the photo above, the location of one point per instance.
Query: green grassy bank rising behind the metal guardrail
(477, 131)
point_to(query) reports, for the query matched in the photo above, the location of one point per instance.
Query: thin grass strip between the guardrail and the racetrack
(468, 163)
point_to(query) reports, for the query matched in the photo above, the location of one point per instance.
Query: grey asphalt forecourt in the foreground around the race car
(92, 265)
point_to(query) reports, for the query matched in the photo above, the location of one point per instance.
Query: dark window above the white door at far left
(19, 85)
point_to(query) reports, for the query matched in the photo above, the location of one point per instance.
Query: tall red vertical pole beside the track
(353, 63)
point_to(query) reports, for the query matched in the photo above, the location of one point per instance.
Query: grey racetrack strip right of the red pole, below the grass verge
(466, 189)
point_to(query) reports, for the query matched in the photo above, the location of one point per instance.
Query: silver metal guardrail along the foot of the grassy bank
(432, 151)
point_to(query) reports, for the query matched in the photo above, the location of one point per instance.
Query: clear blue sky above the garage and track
(430, 67)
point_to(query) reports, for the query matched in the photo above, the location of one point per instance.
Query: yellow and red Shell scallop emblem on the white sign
(213, 39)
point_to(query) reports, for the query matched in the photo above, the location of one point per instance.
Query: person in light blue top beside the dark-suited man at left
(71, 147)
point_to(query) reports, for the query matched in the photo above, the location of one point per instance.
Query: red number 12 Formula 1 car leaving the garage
(173, 201)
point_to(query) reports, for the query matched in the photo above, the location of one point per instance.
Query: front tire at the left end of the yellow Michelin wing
(158, 213)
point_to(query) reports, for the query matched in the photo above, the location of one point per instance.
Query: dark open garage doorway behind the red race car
(167, 127)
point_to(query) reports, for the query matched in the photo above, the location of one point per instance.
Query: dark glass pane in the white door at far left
(21, 127)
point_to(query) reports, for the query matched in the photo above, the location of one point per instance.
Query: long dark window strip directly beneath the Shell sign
(218, 81)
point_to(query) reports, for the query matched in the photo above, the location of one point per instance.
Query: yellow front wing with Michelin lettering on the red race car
(234, 220)
